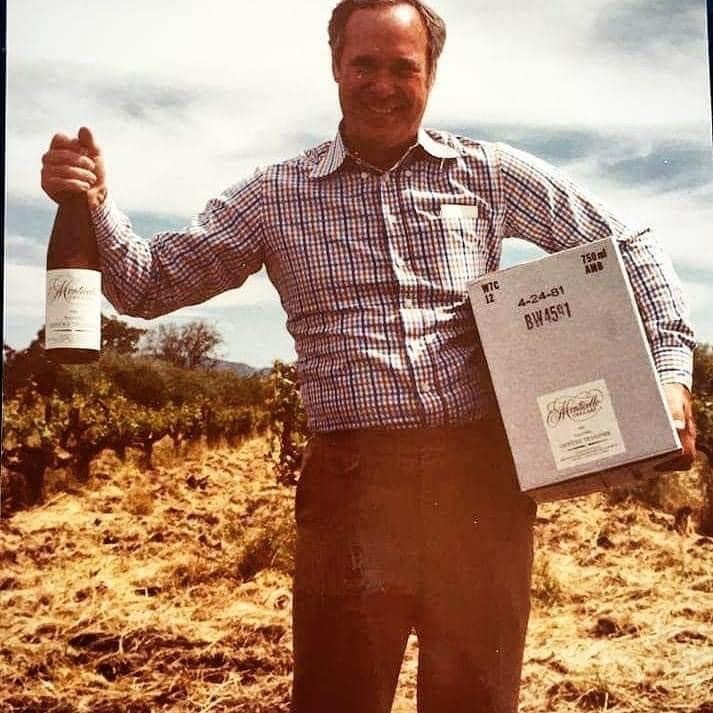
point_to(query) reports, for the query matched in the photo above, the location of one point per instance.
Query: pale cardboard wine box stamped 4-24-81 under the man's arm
(572, 372)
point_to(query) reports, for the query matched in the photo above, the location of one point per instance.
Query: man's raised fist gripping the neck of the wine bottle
(74, 165)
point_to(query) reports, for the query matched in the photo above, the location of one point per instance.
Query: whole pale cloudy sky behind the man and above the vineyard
(186, 98)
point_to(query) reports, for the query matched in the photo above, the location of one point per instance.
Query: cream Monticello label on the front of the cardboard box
(581, 424)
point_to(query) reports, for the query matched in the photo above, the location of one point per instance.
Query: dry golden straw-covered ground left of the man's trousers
(144, 593)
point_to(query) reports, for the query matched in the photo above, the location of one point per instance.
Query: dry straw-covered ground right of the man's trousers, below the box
(623, 613)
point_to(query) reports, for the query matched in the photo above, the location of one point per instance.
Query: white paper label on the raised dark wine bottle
(73, 309)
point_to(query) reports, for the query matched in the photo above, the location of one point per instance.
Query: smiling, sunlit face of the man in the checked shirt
(384, 80)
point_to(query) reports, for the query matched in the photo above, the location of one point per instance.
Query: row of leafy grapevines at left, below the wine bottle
(87, 411)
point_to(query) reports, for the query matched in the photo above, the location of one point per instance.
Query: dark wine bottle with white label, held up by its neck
(73, 299)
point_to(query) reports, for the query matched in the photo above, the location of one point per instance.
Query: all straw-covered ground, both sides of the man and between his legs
(169, 590)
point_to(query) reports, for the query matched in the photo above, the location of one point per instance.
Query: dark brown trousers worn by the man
(415, 529)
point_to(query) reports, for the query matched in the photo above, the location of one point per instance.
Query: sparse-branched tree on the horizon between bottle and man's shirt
(189, 346)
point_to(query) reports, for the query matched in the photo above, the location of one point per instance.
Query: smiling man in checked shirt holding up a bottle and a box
(408, 511)
